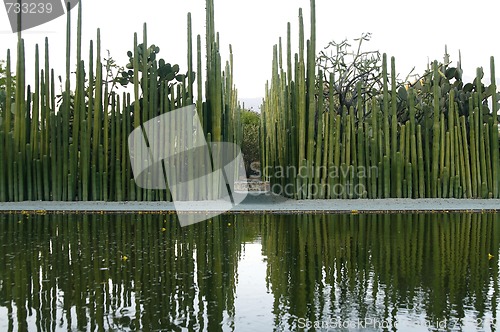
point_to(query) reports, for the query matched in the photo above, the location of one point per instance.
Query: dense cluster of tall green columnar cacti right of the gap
(411, 143)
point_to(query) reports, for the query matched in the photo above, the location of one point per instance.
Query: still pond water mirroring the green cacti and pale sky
(404, 272)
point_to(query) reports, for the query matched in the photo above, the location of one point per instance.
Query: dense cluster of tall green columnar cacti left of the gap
(77, 149)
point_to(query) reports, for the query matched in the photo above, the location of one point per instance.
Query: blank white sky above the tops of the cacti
(413, 32)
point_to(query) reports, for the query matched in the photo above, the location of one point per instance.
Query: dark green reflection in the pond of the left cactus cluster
(146, 274)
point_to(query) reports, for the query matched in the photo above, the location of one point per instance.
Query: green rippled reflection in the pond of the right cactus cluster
(366, 266)
